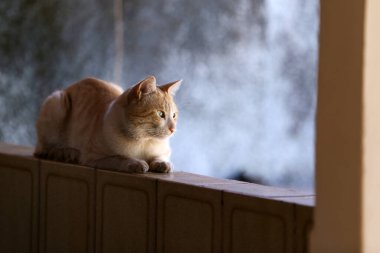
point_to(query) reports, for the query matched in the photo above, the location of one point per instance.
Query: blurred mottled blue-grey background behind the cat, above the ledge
(247, 103)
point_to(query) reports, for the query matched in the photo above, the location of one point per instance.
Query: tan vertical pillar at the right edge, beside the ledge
(348, 129)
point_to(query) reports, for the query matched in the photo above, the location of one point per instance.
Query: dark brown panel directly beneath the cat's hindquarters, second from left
(66, 208)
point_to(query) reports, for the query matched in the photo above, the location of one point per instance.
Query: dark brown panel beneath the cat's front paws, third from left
(125, 213)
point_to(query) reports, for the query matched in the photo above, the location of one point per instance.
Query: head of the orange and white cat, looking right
(150, 109)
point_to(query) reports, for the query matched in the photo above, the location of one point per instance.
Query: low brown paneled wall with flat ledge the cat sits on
(54, 207)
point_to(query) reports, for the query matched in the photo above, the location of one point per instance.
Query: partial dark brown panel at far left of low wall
(18, 204)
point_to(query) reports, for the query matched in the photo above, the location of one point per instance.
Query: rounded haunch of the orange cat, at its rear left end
(50, 124)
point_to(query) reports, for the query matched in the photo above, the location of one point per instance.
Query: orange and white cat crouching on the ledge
(95, 123)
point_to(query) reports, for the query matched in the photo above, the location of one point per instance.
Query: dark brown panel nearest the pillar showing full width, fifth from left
(257, 225)
